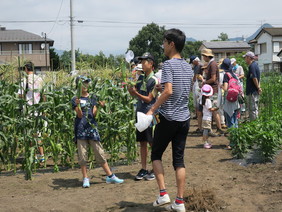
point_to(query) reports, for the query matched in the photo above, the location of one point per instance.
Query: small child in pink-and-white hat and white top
(206, 92)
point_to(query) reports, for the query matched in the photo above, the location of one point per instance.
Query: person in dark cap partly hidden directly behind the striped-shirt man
(197, 84)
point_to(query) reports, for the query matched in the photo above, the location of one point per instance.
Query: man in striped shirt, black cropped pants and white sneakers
(174, 117)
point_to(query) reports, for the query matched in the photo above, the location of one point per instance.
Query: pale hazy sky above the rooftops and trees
(109, 25)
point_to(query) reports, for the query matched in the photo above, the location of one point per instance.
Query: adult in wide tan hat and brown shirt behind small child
(212, 79)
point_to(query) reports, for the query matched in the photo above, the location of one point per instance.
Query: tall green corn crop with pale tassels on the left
(19, 124)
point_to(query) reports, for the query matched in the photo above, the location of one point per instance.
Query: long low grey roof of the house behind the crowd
(226, 45)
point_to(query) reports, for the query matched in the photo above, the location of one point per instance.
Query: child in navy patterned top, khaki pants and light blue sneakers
(86, 133)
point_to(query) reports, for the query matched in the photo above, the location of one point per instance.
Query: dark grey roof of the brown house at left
(18, 35)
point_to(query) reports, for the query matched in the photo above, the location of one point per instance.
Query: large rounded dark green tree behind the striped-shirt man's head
(149, 39)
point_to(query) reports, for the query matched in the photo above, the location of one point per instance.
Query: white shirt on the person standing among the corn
(33, 88)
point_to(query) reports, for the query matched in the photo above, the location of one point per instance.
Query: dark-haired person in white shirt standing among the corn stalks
(30, 90)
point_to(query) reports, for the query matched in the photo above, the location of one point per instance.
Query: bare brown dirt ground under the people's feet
(211, 176)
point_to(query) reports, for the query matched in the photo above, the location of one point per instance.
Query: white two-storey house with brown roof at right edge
(267, 45)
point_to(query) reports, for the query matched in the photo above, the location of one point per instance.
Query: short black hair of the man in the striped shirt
(176, 36)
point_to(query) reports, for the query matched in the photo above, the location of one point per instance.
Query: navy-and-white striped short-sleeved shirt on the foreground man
(179, 73)
